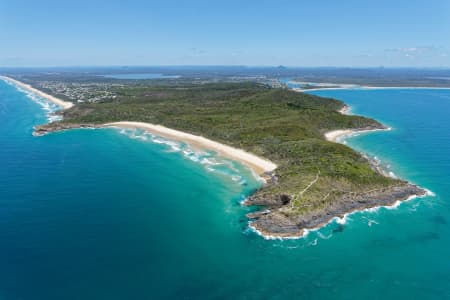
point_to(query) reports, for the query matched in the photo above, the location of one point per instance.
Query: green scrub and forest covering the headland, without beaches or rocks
(284, 126)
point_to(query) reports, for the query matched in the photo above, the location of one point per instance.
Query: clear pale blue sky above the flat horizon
(293, 33)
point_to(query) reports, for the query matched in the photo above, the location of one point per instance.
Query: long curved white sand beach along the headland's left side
(258, 164)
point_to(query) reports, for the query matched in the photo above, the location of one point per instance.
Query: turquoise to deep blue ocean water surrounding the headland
(109, 214)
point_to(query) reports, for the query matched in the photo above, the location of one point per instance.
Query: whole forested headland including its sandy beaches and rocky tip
(280, 133)
